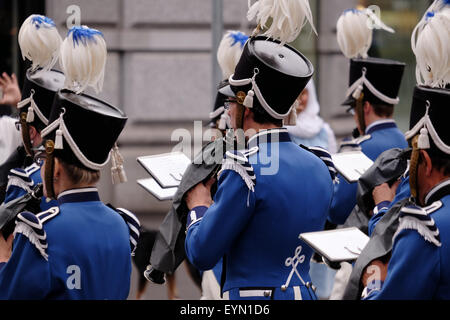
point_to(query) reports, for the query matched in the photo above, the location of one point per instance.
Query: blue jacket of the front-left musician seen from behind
(80, 250)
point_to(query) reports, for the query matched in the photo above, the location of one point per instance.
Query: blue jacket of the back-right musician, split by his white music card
(380, 136)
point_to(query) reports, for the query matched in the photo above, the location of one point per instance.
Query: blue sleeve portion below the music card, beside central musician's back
(344, 200)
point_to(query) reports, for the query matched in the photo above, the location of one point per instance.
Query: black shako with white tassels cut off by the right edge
(429, 119)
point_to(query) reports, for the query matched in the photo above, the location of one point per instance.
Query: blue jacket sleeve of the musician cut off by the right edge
(413, 270)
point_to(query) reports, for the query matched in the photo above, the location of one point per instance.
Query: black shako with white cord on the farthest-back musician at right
(378, 79)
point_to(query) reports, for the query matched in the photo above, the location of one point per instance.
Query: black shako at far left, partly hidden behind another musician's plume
(38, 93)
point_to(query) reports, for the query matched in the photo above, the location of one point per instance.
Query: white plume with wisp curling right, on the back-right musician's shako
(355, 32)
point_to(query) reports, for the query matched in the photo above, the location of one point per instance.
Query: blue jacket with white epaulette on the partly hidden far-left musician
(22, 181)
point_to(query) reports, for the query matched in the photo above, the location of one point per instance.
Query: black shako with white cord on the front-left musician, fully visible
(84, 129)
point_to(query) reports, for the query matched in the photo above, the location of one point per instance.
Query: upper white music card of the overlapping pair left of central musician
(167, 169)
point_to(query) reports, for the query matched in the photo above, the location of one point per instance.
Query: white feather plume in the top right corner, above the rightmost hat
(430, 43)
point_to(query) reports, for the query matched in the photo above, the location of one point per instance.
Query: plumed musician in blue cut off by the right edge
(418, 266)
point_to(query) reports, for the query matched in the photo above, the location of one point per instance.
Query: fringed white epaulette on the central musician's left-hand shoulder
(238, 161)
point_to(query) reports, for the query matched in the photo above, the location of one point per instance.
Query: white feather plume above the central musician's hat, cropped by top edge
(288, 17)
